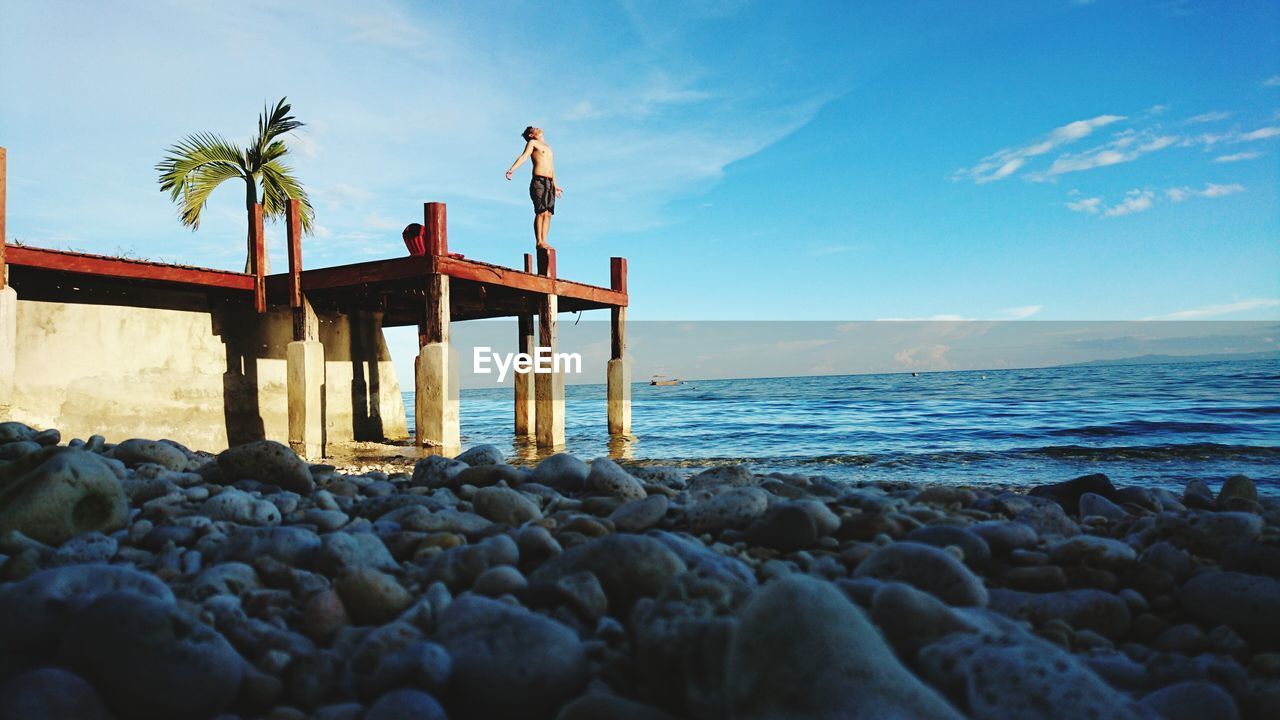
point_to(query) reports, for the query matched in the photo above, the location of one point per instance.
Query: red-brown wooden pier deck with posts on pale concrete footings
(428, 291)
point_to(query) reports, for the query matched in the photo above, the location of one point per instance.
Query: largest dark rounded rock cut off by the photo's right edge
(1246, 603)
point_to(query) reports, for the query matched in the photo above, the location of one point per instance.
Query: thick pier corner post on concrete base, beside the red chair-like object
(437, 388)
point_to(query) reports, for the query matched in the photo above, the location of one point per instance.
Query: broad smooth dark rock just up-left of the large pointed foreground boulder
(628, 568)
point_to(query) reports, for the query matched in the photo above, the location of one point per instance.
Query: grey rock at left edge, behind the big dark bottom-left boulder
(35, 612)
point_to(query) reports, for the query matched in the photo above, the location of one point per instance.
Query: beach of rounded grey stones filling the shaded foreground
(145, 581)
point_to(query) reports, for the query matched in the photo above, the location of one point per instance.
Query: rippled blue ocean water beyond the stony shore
(1140, 425)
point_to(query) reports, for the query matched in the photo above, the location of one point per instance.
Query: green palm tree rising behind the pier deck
(202, 162)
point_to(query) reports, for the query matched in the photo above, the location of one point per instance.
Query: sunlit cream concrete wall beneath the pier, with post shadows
(208, 379)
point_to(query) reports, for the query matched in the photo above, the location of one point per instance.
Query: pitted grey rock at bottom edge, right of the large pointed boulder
(1016, 676)
